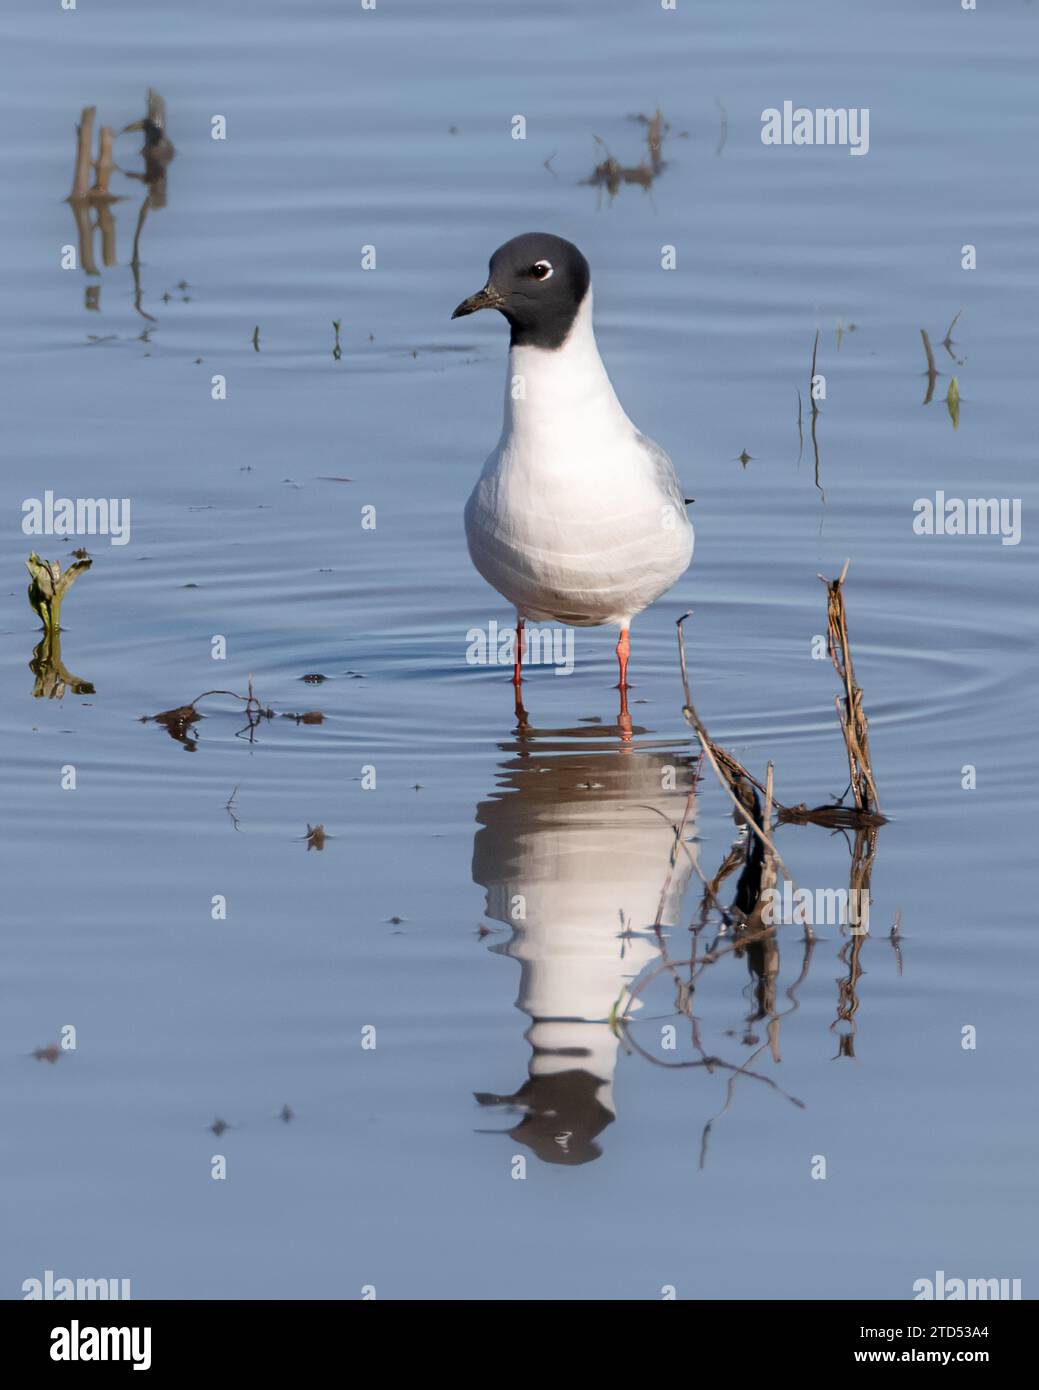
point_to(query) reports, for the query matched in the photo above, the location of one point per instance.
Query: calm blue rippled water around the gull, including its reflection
(348, 129)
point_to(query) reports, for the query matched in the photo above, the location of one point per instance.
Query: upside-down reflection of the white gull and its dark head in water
(578, 856)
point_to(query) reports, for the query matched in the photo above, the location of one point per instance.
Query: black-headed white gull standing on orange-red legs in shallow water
(577, 518)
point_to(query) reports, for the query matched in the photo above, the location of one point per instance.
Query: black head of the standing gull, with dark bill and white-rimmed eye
(539, 281)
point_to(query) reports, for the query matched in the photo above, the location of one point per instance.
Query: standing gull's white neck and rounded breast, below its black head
(577, 516)
